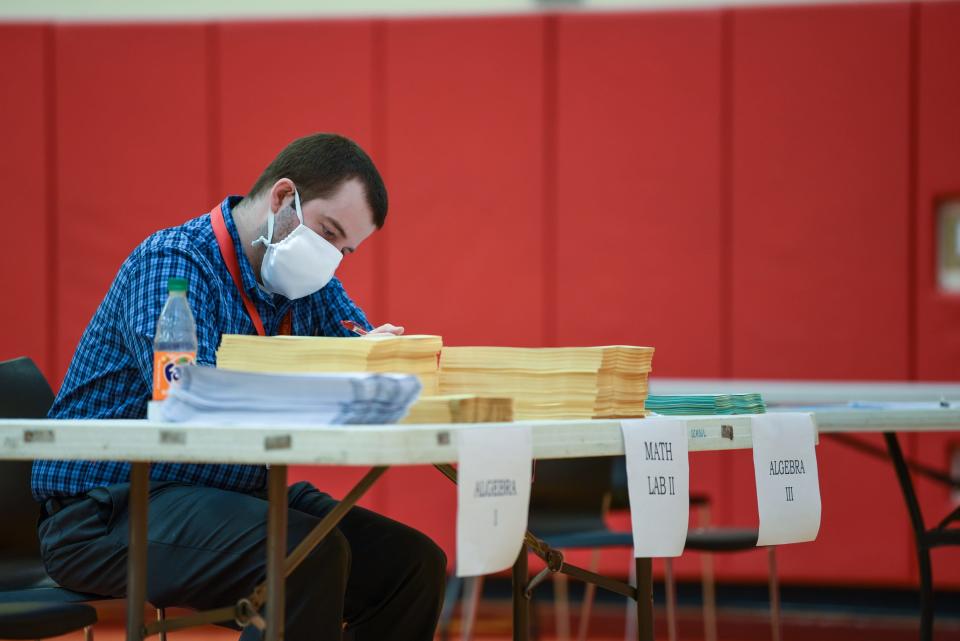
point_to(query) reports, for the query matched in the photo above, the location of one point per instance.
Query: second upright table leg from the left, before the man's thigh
(276, 550)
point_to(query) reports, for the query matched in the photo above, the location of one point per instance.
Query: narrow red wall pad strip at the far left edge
(24, 166)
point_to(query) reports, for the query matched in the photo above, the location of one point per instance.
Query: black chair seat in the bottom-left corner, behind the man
(45, 620)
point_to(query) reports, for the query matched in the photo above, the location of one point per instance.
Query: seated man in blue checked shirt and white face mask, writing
(316, 202)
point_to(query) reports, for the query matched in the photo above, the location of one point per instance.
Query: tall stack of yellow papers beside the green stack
(553, 382)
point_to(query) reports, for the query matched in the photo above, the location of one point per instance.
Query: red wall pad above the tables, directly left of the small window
(820, 192)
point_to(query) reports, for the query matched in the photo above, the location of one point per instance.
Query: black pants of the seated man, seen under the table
(207, 548)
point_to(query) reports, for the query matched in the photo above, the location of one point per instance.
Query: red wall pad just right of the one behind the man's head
(464, 147)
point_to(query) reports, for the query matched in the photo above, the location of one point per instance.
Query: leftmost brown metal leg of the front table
(137, 550)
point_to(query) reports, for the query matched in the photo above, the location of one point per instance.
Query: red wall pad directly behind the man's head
(281, 80)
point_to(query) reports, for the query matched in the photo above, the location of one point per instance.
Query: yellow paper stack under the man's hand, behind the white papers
(415, 354)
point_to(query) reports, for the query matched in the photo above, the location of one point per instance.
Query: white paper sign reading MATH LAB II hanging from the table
(658, 479)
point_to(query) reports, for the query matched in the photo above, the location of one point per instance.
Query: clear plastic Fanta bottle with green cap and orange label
(175, 344)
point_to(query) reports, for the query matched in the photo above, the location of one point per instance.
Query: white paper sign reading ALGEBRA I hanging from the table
(493, 497)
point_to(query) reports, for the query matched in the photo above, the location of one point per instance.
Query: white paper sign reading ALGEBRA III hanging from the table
(788, 486)
